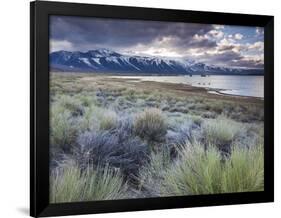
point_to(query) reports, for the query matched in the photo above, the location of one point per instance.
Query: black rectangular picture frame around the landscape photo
(39, 108)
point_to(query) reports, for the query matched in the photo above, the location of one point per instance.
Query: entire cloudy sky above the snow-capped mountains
(220, 45)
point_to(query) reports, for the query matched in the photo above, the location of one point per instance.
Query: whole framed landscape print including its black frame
(140, 109)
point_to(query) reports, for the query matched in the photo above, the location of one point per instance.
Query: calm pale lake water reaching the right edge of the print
(232, 85)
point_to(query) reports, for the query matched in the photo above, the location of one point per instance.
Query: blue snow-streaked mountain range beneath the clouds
(104, 60)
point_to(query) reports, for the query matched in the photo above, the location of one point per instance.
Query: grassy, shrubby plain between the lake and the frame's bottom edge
(113, 138)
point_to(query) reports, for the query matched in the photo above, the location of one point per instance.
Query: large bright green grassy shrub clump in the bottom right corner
(203, 172)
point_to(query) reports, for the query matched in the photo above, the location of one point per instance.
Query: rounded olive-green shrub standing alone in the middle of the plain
(151, 125)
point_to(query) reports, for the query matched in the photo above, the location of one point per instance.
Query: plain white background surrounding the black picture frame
(14, 107)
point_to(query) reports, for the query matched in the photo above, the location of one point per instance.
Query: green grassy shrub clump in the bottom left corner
(70, 184)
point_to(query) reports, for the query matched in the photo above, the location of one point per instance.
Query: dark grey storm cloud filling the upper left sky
(125, 33)
